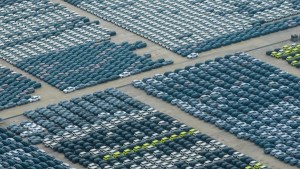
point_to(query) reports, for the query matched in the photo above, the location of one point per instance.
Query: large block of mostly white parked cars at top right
(194, 26)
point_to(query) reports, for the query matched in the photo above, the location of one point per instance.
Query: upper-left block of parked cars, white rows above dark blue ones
(64, 49)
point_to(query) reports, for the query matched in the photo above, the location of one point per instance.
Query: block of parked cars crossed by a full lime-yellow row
(109, 129)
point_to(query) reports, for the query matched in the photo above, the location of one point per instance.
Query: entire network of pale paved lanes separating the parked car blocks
(256, 48)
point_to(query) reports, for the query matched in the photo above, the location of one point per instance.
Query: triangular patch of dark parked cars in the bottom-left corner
(18, 154)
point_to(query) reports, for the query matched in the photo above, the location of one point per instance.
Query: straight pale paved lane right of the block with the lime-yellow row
(242, 146)
